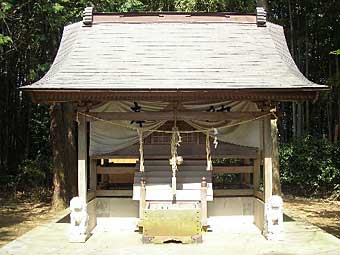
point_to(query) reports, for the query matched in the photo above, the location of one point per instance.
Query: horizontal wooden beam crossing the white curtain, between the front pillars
(169, 115)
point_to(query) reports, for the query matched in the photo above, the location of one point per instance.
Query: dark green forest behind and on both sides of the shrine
(30, 32)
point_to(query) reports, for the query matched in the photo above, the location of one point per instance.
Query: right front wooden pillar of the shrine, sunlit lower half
(267, 154)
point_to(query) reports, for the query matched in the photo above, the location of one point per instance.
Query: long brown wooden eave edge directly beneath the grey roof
(51, 95)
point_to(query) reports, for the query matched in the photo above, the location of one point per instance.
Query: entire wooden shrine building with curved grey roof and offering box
(176, 111)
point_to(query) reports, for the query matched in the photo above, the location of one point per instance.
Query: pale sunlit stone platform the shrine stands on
(226, 238)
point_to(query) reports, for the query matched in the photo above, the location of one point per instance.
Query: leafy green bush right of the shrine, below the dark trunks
(310, 166)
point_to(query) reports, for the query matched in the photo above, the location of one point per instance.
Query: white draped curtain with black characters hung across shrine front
(106, 138)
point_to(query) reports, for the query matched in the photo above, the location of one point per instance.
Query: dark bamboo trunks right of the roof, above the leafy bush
(313, 30)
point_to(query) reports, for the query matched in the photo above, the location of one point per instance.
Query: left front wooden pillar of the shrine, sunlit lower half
(82, 158)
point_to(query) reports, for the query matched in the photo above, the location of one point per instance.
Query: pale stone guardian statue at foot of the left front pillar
(79, 221)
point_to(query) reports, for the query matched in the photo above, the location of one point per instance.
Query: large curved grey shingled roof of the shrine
(173, 52)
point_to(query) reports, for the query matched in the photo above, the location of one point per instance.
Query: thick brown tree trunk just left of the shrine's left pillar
(64, 155)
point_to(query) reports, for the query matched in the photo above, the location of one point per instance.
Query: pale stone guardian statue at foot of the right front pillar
(273, 222)
